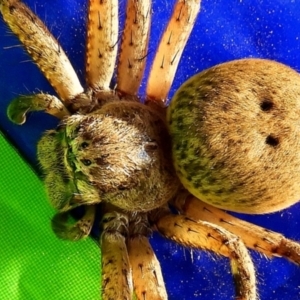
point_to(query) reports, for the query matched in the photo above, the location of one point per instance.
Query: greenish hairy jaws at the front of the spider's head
(66, 186)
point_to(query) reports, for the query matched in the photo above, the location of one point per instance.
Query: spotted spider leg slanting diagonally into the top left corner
(42, 47)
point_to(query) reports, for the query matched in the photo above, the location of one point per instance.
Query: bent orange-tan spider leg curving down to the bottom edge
(208, 236)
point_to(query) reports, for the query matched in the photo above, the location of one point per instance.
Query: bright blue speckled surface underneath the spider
(225, 30)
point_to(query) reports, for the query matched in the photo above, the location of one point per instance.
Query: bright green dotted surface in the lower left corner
(34, 263)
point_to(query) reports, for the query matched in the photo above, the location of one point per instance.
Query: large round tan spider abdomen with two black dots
(236, 134)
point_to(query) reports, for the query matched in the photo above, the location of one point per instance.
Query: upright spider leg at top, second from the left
(102, 38)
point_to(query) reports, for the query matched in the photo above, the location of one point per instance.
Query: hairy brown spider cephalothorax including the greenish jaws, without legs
(118, 154)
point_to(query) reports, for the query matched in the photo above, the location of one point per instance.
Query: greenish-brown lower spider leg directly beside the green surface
(116, 271)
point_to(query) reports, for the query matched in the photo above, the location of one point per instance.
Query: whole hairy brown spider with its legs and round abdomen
(114, 155)
